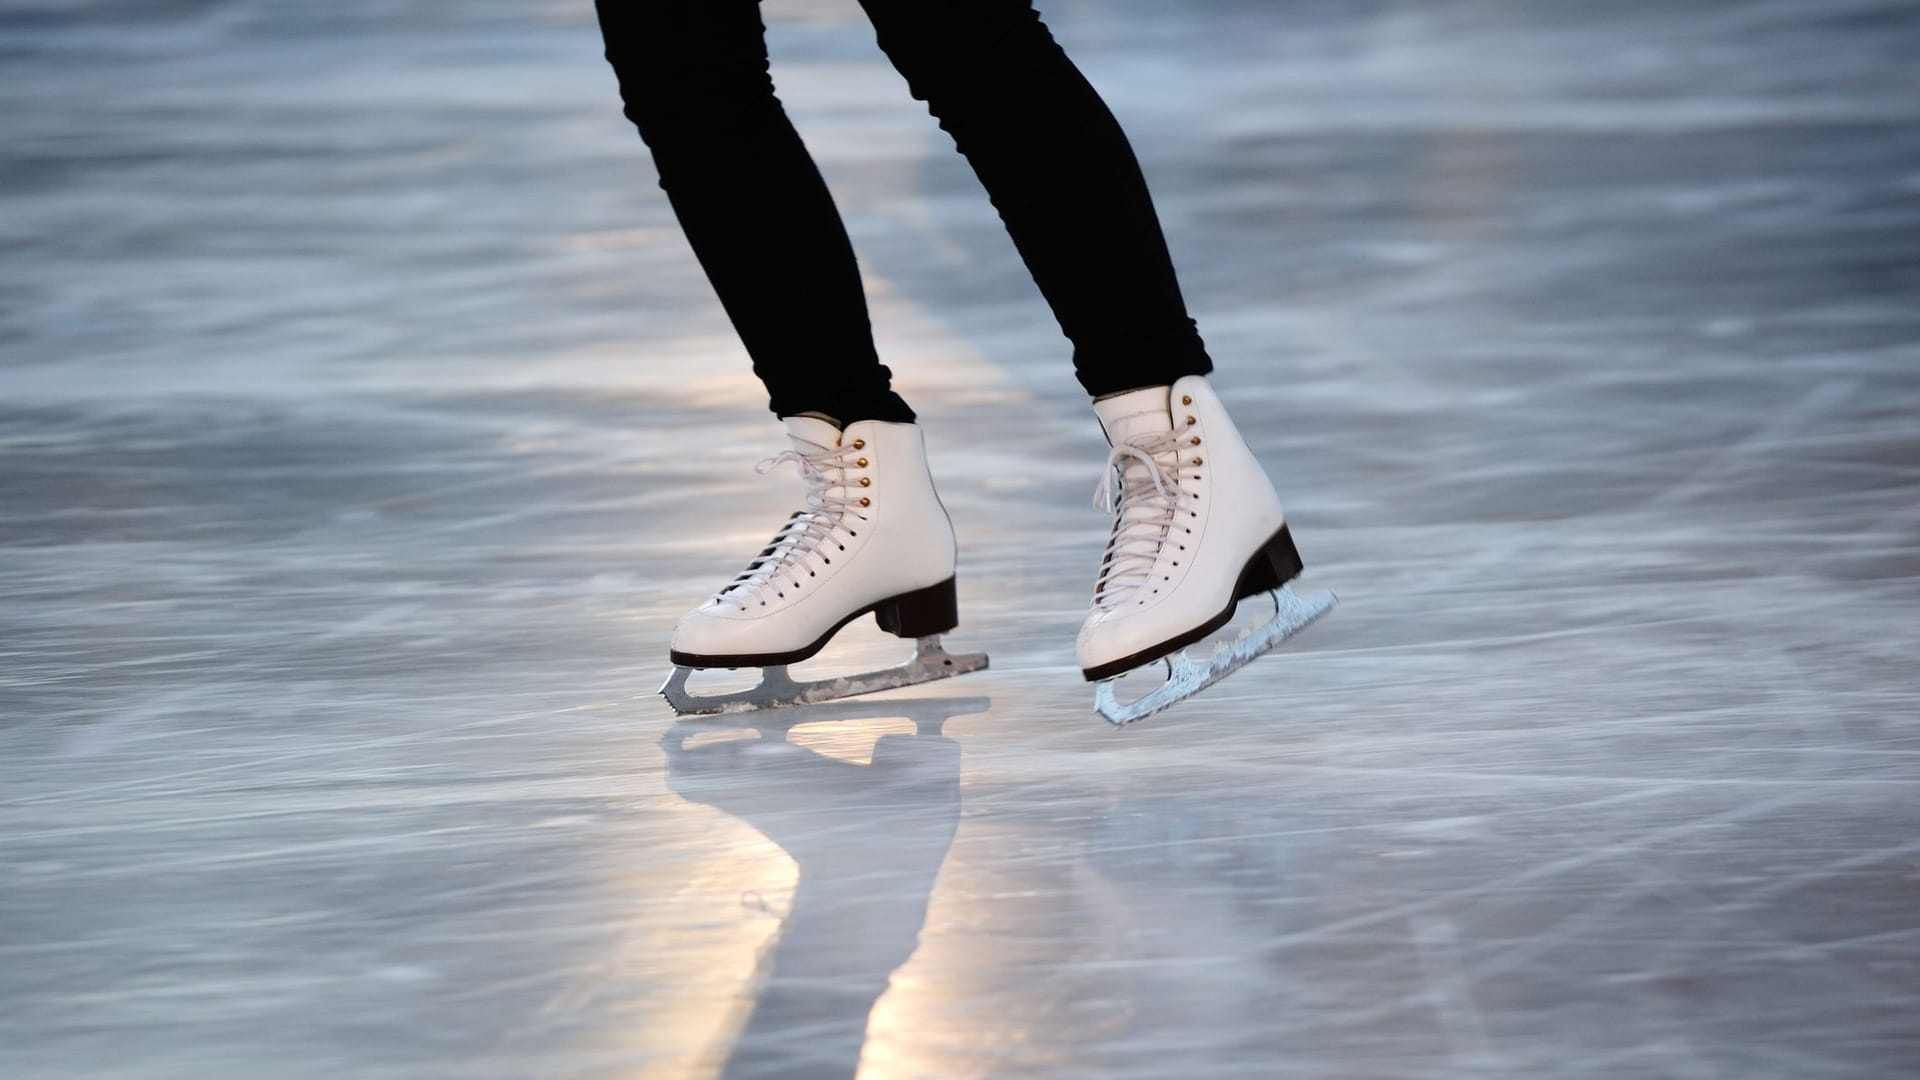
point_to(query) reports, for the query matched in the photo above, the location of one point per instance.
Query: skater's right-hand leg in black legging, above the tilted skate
(1063, 178)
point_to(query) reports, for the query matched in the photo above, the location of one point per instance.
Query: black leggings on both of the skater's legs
(694, 76)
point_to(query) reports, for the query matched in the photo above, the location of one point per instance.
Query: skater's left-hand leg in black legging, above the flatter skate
(694, 76)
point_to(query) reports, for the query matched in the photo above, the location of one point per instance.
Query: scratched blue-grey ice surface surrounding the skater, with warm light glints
(366, 426)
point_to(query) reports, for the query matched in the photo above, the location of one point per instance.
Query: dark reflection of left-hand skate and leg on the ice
(867, 841)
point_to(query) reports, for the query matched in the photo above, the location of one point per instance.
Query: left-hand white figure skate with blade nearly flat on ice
(875, 537)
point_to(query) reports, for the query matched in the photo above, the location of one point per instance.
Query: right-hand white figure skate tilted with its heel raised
(1197, 528)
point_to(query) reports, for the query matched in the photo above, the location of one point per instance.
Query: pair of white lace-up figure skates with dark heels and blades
(1197, 529)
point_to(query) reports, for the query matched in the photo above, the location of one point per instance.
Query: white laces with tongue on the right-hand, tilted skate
(1145, 504)
